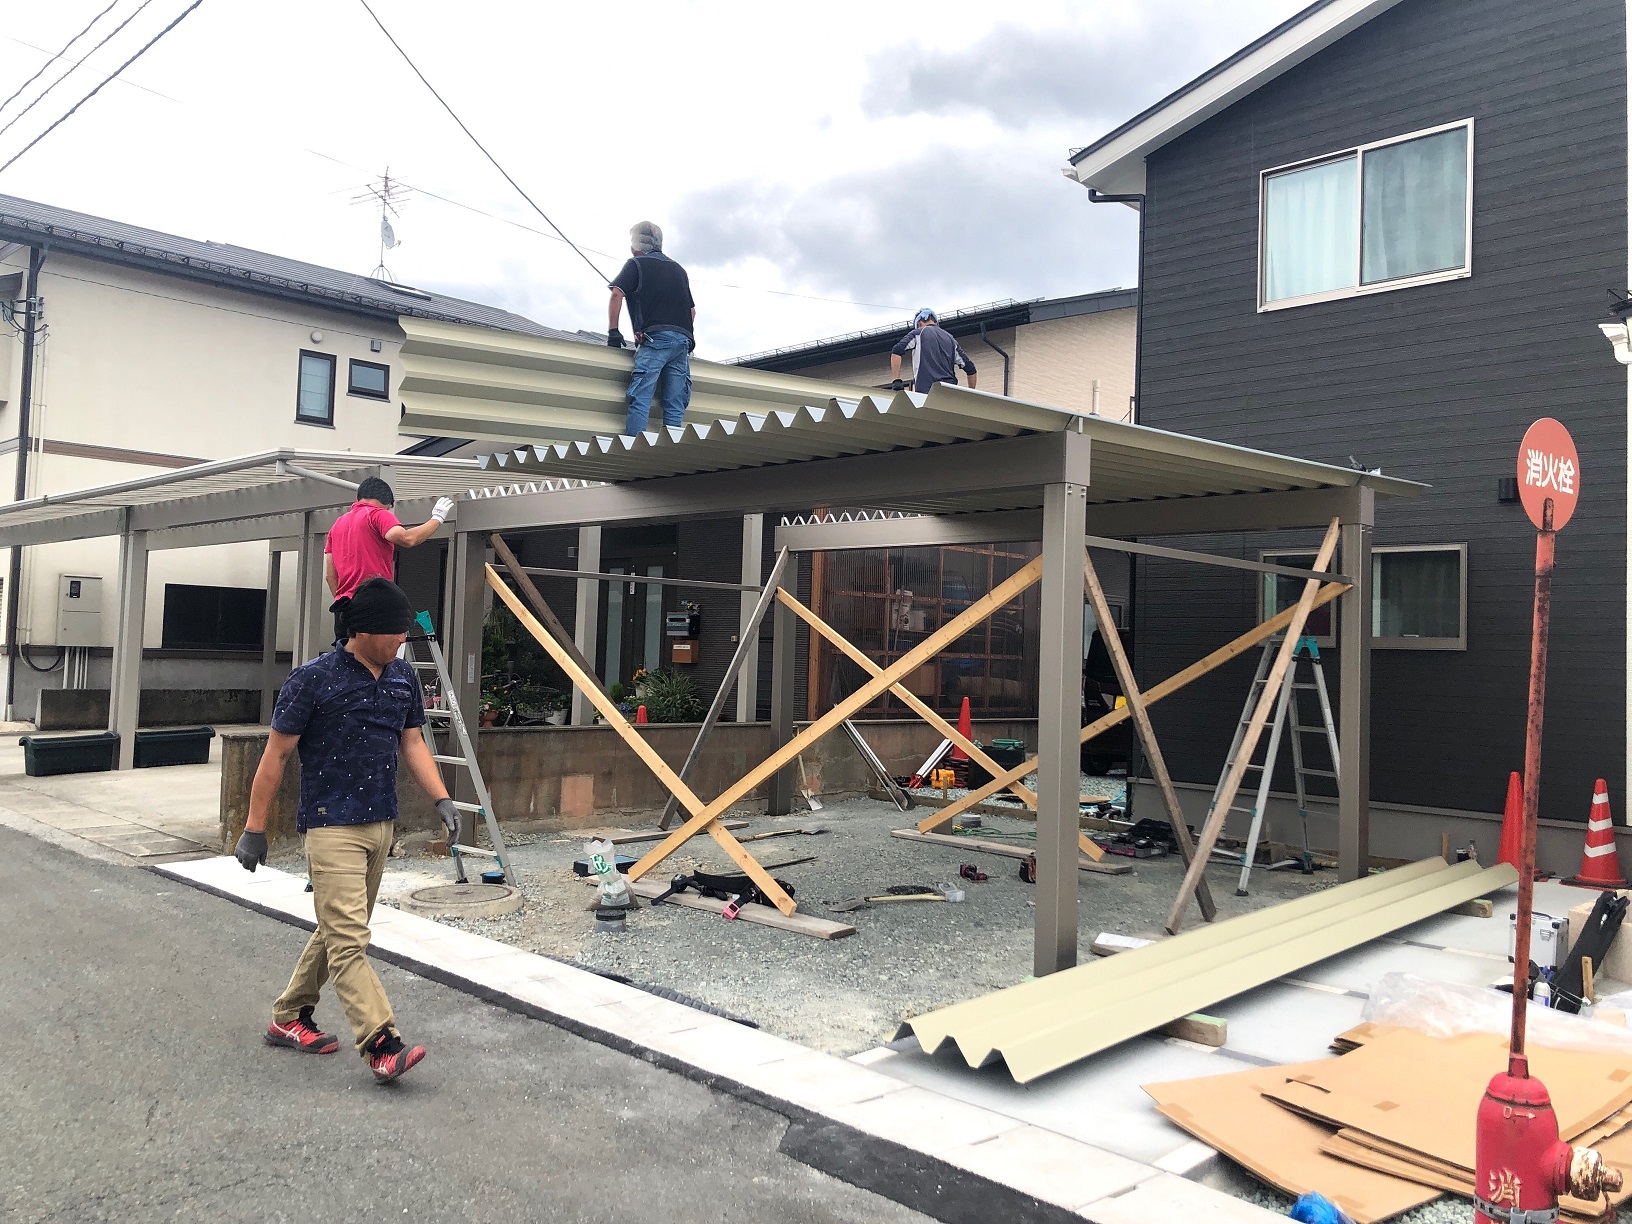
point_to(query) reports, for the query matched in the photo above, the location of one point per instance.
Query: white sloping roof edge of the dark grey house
(1115, 162)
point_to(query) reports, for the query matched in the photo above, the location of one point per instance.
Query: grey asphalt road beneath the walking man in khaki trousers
(135, 1086)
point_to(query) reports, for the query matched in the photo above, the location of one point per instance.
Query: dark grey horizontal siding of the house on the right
(1434, 383)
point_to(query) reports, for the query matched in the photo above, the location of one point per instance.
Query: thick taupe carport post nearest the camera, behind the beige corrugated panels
(1058, 730)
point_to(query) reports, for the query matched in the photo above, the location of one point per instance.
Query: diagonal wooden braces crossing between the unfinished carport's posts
(706, 817)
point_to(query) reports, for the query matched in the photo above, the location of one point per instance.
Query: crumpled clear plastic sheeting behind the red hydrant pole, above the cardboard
(1448, 1009)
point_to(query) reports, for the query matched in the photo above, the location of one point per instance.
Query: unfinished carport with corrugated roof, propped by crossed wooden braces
(962, 468)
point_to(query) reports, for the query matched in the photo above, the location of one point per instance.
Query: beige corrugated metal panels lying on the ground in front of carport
(1049, 1024)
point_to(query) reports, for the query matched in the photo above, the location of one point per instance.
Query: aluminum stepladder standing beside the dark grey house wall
(1288, 716)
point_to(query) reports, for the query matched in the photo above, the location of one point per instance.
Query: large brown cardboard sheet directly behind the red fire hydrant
(1424, 1093)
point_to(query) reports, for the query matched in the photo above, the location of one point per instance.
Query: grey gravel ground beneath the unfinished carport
(841, 996)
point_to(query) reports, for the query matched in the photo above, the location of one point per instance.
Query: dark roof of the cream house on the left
(24, 221)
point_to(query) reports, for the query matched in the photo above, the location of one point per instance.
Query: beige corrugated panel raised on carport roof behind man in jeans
(476, 383)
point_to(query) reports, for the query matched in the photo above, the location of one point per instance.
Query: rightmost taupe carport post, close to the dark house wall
(1354, 835)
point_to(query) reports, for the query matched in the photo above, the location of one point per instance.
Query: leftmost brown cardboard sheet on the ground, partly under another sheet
(1231, 1114)
